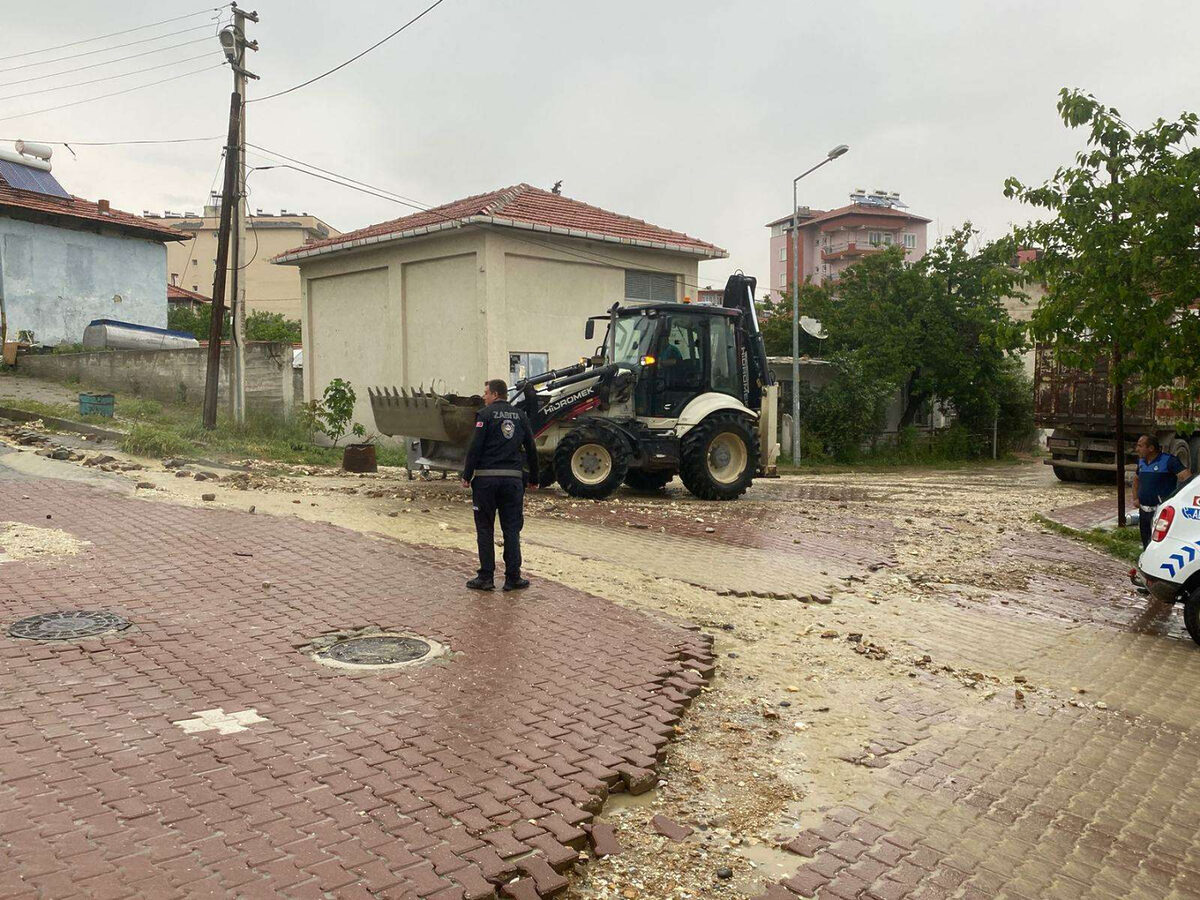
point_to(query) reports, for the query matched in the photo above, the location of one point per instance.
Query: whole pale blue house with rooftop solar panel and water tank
(65, 261)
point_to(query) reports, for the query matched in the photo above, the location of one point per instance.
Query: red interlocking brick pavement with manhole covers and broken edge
(467, 778)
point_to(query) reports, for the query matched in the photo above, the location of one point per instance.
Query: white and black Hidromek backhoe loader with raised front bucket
(676, 389)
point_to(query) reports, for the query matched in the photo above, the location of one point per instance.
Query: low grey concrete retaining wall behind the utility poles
(173, 376)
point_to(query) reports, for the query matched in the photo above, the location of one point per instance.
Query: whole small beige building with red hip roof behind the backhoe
(494, 286)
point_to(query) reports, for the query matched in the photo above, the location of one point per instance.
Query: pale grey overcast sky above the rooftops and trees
(694, 116)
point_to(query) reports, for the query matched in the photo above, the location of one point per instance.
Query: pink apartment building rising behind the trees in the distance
(832, 241)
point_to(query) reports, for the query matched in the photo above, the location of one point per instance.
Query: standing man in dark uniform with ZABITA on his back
(500, 454)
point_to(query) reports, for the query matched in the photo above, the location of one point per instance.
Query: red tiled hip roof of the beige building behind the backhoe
(521, 206)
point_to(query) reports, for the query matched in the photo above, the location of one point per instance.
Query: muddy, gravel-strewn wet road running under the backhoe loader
(921, 692)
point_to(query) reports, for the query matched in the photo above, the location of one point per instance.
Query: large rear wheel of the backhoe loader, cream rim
(719, 457)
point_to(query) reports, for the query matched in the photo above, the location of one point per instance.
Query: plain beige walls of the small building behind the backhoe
(448, 310)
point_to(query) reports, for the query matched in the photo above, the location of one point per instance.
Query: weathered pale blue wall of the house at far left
(58, 280)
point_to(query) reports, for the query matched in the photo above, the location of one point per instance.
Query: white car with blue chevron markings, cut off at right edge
(1171, 563)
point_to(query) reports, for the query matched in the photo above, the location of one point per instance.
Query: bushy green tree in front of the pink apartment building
(935, 329)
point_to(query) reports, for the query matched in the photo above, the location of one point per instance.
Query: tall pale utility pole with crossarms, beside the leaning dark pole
(235, 44)
